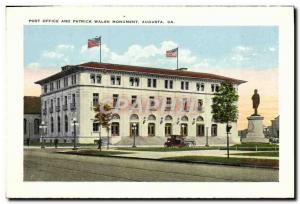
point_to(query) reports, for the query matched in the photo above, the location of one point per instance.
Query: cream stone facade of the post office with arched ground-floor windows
(148, 105)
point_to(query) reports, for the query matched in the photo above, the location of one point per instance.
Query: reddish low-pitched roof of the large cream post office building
(139, 69)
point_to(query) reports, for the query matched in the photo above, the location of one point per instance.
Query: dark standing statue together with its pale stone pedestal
(255, 124)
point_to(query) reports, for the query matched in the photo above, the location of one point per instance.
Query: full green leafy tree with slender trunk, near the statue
(224, 107)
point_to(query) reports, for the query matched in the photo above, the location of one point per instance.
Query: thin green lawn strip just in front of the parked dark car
(166, 149)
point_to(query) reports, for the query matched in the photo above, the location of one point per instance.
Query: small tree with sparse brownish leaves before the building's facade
(103, 117)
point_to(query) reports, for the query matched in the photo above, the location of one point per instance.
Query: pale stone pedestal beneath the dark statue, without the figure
(255, 130)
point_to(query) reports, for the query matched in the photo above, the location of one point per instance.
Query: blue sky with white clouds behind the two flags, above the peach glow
(209, 47)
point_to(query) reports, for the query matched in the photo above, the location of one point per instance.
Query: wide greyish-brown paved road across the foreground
(50, 166)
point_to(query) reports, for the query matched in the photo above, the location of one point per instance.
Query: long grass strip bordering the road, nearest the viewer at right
(231, 161)
